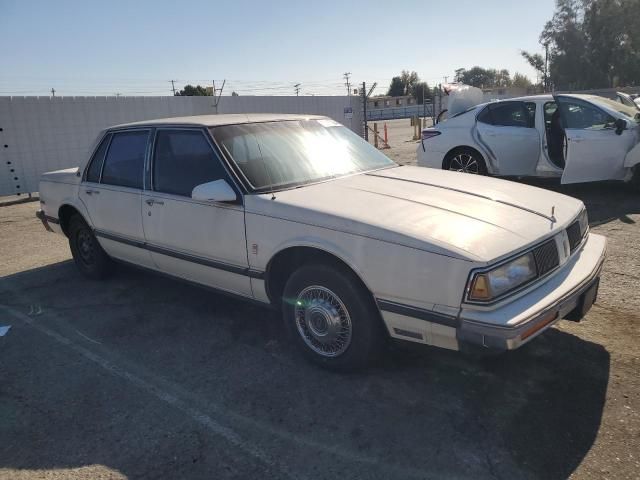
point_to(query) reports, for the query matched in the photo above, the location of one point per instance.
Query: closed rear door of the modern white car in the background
(507, 130)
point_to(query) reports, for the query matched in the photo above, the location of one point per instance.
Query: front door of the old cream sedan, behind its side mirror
(200, 241)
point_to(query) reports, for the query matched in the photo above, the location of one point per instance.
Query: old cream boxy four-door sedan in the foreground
(300, 213)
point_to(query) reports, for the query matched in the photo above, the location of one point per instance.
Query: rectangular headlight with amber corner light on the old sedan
(488, 285)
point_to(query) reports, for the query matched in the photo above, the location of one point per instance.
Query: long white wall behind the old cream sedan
(45, 133)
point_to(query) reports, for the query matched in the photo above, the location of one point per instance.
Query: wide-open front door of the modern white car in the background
(594, 151)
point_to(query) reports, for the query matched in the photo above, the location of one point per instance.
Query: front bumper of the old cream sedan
(568, 294)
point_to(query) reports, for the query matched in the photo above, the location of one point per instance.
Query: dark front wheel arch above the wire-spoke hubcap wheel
(287, 260)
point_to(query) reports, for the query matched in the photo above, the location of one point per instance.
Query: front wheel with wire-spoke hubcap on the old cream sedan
(332, 317)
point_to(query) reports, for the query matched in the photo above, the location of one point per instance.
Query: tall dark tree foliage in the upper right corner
(593, 43)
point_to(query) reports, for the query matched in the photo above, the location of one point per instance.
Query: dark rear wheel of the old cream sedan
(92, 261)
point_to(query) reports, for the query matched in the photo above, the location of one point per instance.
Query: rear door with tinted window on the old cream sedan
(111, 191)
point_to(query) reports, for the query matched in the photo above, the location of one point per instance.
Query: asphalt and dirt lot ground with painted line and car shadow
(141, 376)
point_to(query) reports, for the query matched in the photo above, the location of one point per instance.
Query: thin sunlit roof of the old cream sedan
(225, 119)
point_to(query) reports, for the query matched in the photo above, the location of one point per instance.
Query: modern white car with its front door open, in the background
(588, 138)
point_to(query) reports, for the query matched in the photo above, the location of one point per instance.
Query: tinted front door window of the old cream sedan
(184, 159)
